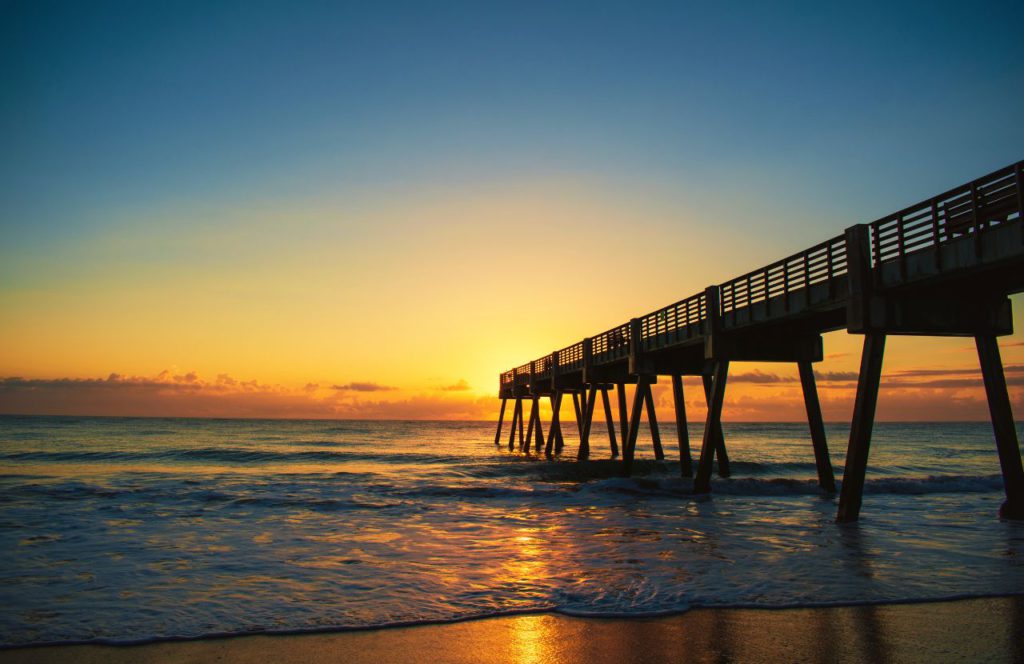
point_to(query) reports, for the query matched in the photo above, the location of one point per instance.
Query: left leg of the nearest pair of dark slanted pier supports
(861, 429)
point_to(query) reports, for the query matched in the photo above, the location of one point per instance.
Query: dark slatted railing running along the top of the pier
(806, 280)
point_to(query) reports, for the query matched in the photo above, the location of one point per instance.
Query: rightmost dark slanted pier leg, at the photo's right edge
(1003, 427)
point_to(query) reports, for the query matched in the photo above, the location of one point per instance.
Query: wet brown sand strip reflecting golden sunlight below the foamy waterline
(969, 631)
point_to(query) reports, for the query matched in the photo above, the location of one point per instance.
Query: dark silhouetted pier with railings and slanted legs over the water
(942, 268)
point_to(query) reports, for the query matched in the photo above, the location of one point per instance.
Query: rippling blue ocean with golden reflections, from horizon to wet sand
(122, 530)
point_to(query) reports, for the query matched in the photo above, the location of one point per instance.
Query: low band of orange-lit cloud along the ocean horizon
(754, 396)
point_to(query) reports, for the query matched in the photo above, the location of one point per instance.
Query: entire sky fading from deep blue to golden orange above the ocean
(277, 210)
